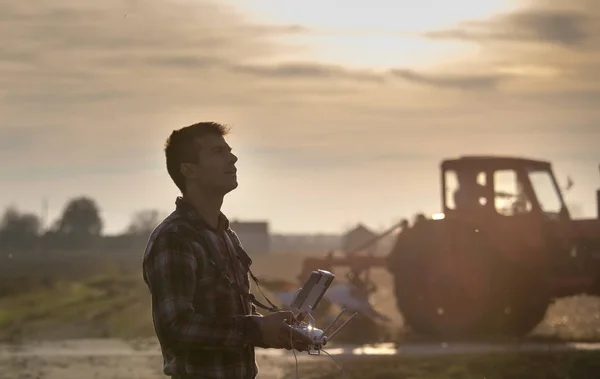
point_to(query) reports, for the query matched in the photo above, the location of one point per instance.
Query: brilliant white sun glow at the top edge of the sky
(375, 33)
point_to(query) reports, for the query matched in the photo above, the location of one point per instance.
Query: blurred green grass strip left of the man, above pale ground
(100, 306)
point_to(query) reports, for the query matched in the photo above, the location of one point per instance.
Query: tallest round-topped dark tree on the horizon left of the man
(80, 220)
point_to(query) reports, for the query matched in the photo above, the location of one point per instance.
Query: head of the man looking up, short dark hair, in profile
(198, 156)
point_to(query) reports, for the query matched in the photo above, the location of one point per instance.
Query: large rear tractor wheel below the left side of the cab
(444, 279)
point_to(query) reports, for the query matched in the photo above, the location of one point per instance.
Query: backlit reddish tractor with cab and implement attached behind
(501, 251)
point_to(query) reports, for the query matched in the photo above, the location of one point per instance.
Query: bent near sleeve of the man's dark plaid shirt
(171, 271)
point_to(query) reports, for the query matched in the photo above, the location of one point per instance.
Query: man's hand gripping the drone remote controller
(278, 333)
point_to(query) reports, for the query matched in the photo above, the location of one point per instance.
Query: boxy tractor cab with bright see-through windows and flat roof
(499, 187)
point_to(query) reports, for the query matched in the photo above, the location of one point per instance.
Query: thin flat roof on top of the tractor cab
(494, 162)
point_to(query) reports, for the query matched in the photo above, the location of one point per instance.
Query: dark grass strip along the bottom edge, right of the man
(559, 365)
